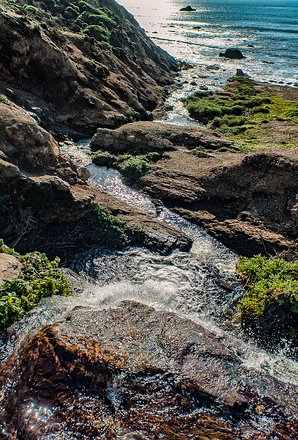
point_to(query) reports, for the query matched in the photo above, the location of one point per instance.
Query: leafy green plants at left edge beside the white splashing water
(38, 279)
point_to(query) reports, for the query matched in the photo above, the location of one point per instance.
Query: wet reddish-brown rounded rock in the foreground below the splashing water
(132, 372)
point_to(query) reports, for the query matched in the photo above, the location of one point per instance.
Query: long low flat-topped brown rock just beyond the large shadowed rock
(140, 137)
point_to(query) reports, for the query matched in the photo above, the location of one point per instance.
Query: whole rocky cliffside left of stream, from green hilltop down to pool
(66, 69)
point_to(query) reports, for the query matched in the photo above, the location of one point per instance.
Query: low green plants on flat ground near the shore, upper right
(242, 113)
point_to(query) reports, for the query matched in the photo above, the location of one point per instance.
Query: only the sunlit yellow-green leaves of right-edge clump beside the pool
(270, 284)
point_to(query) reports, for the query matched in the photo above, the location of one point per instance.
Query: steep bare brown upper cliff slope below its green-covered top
(79, 84)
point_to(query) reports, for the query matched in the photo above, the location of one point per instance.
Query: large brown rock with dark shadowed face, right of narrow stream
(248, 202)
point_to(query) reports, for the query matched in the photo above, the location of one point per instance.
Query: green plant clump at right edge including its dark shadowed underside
(270, 300)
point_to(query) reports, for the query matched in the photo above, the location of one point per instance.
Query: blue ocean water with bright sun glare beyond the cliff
(266, 31)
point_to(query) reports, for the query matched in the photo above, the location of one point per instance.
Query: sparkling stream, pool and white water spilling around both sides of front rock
(200, 285)
